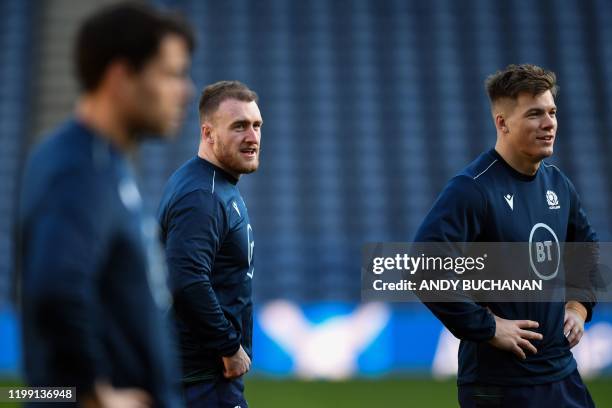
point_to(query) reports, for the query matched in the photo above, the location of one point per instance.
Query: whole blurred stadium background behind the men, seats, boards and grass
(370, 106)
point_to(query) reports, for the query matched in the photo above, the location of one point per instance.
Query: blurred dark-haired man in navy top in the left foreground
(90, 313)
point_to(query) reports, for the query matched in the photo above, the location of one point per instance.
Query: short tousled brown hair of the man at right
(515, 79)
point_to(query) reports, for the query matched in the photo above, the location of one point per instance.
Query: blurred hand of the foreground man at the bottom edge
(106, 396)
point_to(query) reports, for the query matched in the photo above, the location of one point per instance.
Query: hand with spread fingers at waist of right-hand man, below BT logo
(513, 336)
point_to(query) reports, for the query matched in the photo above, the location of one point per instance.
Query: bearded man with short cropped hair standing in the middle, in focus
(209, 247)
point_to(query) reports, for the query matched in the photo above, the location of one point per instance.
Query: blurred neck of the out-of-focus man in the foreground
(99, 114)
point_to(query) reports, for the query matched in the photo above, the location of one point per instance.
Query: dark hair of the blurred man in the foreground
(129, 31)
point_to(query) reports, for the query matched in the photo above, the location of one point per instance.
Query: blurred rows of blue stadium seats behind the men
(369, 107)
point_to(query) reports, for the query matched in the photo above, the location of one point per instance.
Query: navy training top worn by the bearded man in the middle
(210, 252)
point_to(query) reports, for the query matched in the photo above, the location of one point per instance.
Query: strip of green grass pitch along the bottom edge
(400, 392)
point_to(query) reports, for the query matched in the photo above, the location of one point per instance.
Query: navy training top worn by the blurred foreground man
(92, 284)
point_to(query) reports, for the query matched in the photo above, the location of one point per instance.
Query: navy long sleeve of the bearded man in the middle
(195, 226)
